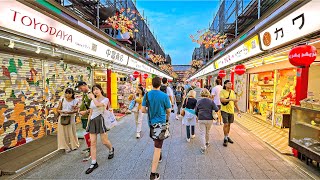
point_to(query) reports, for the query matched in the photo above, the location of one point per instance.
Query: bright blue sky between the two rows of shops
(174, 21)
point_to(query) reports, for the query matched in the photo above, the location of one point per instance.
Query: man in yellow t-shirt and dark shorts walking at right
(228, 103)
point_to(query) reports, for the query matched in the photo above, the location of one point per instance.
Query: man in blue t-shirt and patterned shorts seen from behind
(158, 111)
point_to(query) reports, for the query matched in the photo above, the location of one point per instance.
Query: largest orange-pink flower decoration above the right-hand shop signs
(209, 39)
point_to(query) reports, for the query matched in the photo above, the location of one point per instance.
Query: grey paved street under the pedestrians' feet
(248, 158)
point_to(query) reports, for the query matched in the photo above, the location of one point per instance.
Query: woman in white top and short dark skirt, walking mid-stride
(96, 125)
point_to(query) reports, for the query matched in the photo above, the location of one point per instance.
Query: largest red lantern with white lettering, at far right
(302, 56)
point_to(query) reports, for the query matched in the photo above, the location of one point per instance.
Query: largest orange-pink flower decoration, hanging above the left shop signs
(124, 23)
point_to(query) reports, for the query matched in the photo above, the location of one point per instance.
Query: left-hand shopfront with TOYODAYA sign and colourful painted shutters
(40, 58)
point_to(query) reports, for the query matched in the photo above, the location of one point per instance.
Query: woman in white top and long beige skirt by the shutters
(67, 134)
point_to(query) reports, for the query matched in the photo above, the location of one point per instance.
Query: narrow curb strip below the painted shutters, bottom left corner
(19, 173)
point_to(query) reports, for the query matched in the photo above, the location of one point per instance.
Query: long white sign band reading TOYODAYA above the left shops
(23, 19)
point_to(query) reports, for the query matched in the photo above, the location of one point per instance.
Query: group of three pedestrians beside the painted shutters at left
(92, 110)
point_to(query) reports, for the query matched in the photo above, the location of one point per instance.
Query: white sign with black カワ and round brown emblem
(298, 24)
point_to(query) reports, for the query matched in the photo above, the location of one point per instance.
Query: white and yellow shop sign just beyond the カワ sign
(246, 50)
